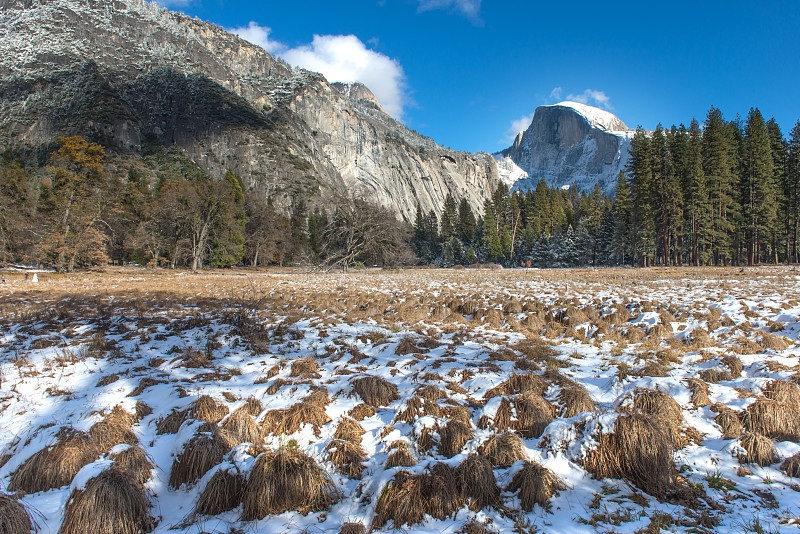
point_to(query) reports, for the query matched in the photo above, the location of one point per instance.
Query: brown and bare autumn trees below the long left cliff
(83, 207)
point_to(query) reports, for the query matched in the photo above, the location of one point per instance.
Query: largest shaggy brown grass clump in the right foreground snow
(639, 450)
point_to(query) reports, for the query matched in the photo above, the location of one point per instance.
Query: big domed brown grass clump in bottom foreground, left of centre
(287, 480)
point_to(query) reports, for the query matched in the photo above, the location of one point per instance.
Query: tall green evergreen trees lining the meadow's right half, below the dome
(724, 194)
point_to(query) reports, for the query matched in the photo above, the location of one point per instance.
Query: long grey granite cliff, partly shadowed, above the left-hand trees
(124, 71)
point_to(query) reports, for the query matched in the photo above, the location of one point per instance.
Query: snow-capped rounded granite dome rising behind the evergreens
(568, 144)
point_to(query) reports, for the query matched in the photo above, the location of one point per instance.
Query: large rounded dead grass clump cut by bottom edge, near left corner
(111, 502)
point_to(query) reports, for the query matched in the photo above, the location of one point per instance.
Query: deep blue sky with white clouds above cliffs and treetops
(470, 73)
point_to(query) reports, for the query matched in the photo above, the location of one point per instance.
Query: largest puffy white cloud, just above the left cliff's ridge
(340, 58)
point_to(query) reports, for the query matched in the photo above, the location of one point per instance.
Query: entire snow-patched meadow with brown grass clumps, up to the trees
(558, 401)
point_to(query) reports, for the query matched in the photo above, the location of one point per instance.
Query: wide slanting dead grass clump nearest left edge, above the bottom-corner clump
(56, 465)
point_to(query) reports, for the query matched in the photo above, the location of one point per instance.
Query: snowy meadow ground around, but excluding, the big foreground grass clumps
(72, 348)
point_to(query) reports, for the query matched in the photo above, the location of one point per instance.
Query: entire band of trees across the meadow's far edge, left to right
(726, 193)
